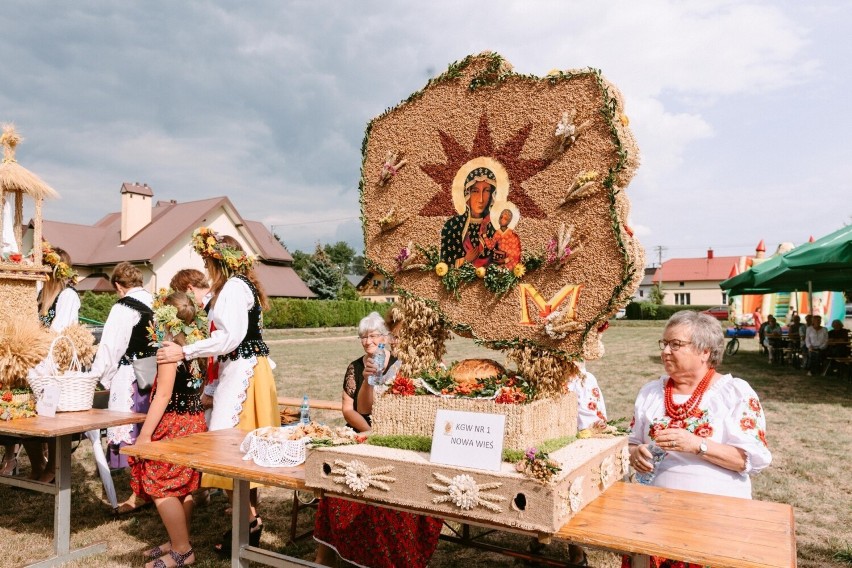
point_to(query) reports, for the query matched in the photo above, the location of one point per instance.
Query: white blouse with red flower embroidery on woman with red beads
(730, 414)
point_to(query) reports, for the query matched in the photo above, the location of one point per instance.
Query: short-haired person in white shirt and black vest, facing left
(125, 339)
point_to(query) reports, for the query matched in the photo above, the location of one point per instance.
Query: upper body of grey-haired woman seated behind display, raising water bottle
(358, 394)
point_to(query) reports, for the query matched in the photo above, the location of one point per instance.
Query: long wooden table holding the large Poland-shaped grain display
(638, 520)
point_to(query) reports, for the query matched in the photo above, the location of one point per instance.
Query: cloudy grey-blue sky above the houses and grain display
(738, 106)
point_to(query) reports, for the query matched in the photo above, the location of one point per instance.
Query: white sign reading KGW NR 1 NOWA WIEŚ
(468, 439)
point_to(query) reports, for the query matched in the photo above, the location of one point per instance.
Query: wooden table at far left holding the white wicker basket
(62, 428)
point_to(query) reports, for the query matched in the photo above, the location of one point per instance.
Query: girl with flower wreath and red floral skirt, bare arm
(175, 412)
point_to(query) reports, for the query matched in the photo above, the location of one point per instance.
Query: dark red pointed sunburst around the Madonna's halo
(519, 170)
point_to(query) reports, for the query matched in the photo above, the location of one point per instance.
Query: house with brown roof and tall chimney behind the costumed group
(156, 237)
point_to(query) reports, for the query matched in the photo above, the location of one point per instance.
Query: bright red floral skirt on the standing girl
(155, 479)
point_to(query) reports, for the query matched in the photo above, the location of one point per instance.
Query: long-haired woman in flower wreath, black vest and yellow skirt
(244, 394)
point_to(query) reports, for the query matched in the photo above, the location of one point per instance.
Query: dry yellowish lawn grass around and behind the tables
(808, 430)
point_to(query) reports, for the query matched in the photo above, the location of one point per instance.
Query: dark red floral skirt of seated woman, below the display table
(374, 537)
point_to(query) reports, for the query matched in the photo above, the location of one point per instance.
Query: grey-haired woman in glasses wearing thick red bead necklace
(711, 426)
